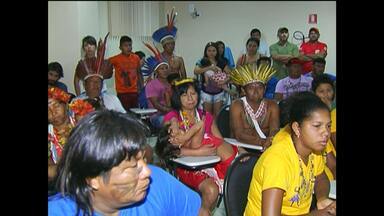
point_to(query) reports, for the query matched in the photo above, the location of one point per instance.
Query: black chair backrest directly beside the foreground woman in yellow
(237, 182)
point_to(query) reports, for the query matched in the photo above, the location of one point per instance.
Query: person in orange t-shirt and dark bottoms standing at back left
(128, 79)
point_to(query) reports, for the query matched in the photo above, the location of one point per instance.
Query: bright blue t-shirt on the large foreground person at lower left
(166, 196)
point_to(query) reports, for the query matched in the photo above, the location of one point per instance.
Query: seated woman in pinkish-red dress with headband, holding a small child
(208, 181)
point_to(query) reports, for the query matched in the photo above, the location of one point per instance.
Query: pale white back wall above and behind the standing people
(231, 22)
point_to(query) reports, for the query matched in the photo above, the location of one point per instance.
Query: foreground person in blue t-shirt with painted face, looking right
(103, 173)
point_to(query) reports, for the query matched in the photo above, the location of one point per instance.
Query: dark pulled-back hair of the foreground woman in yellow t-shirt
(301, 105)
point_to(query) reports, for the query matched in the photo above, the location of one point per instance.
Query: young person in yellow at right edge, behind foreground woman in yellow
(323, 86)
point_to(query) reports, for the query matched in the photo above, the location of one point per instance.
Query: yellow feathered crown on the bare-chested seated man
(244, 75)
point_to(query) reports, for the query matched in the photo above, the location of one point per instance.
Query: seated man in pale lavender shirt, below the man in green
(294, 83)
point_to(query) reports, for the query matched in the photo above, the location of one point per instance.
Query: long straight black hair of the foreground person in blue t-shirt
(100, 141)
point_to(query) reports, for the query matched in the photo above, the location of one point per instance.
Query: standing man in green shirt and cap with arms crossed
(282, 52)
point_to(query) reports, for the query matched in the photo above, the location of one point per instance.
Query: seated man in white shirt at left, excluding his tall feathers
(93, 84)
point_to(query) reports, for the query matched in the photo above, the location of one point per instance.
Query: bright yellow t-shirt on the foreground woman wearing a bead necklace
(279, 167)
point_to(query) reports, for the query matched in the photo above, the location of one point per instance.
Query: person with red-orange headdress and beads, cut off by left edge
(60, 123)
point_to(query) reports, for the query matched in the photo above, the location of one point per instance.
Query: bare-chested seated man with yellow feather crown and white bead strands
(254, 119)
